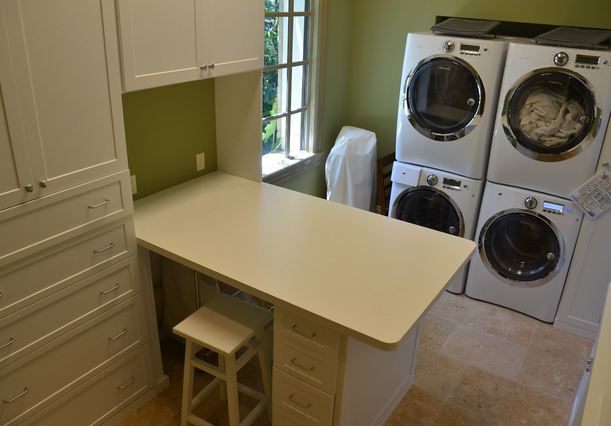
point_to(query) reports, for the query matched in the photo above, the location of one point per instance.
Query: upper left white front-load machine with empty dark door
(448, 98)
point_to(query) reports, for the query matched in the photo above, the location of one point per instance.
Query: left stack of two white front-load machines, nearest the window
(448, 98)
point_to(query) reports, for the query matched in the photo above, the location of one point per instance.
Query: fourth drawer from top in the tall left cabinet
(41, 376)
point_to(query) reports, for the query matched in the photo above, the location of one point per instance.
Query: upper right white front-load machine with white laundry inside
(554, 105)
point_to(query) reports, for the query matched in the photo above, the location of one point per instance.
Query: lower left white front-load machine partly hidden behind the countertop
(437, 200)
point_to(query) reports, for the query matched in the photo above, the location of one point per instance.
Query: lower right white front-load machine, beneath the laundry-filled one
(525, 241)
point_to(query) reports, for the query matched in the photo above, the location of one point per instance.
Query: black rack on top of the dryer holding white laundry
(576, 37)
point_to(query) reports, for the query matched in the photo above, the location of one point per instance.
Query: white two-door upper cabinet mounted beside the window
(172, 41)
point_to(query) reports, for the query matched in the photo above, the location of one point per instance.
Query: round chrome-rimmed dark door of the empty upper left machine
(444, 98)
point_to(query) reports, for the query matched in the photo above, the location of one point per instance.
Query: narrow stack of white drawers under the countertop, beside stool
(306, 360)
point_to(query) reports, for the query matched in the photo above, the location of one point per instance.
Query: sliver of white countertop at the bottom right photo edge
(597, 411)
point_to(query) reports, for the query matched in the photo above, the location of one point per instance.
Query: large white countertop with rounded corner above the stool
(369, 276)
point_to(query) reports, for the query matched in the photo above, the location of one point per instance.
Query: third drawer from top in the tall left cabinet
(30, 328)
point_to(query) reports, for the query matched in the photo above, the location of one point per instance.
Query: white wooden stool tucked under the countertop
(225, 325)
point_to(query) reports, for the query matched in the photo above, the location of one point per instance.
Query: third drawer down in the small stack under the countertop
(302, 400)
